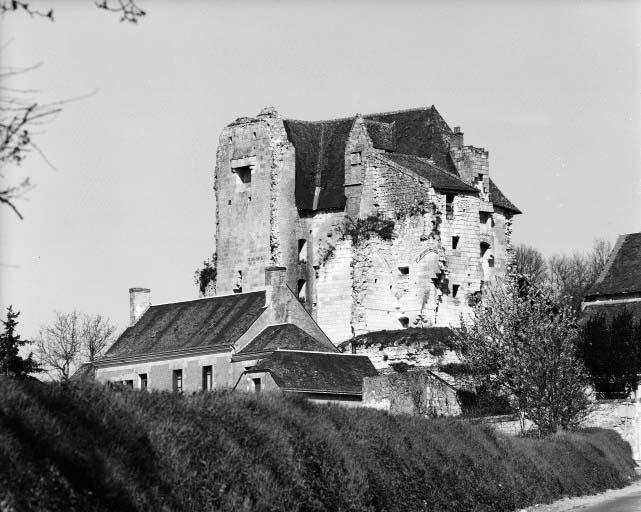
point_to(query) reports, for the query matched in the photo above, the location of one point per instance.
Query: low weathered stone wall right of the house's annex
(411, 392)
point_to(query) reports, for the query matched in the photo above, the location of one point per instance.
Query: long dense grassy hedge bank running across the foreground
(87, 448)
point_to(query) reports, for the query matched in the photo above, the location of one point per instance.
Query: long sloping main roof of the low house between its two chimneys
(201, 323)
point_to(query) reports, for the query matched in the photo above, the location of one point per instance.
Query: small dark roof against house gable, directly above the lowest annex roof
(285, 336)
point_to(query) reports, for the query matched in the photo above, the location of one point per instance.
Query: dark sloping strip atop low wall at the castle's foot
(431, 336)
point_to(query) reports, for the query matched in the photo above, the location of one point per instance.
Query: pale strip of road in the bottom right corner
(627, 499)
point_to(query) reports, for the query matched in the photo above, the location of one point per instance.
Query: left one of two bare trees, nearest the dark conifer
(59, 345)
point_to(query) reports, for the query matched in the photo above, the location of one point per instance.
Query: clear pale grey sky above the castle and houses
(552, 90)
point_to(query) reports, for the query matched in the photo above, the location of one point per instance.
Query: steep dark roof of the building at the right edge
(622, 272)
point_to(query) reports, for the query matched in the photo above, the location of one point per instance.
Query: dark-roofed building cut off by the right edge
(618, 287)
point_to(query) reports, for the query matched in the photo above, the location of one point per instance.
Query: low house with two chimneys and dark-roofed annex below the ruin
(254, 341)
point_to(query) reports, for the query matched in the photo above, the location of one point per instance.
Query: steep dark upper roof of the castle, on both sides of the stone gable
(320, 149)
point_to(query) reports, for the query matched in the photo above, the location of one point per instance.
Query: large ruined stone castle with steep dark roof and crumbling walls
(382, 221)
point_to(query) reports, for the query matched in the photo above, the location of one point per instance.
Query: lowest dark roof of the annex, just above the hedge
(317, 372)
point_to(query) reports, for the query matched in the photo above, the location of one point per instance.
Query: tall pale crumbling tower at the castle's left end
(255, 218)
